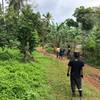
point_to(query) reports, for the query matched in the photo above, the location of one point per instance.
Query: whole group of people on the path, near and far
(75, 69)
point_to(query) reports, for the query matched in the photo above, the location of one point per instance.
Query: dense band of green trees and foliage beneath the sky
(22, 28)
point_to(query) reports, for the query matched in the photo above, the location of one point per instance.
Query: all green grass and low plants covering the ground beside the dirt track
(44, 79)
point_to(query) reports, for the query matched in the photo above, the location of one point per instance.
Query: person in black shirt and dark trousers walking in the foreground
(75, 69)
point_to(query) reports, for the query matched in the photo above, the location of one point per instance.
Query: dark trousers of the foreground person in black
(76, 81)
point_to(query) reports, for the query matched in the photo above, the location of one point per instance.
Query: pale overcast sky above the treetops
(62, 9)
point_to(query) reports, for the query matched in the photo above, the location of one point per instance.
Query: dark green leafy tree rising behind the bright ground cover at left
(27, 34)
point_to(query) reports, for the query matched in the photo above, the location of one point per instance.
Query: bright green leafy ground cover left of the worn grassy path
(22, 81)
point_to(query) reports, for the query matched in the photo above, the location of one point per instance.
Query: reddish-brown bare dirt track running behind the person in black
(92, 75)
